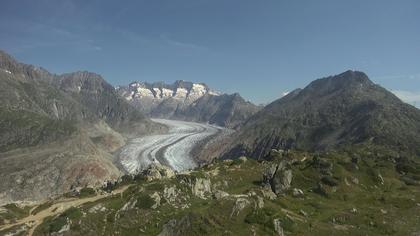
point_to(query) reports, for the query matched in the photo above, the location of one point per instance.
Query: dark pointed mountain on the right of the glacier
(337, 110)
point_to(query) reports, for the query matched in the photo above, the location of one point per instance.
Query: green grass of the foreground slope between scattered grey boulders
(366, 208)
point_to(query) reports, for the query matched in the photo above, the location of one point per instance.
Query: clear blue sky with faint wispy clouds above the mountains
(257, 48)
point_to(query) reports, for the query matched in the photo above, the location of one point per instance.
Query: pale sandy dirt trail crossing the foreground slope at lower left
(34, 221)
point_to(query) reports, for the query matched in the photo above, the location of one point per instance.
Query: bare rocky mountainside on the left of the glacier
(58, 132)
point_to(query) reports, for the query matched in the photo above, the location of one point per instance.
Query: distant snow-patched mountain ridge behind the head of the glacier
(188, 101)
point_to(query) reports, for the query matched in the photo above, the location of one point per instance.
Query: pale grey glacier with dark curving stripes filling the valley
(174, 147)
